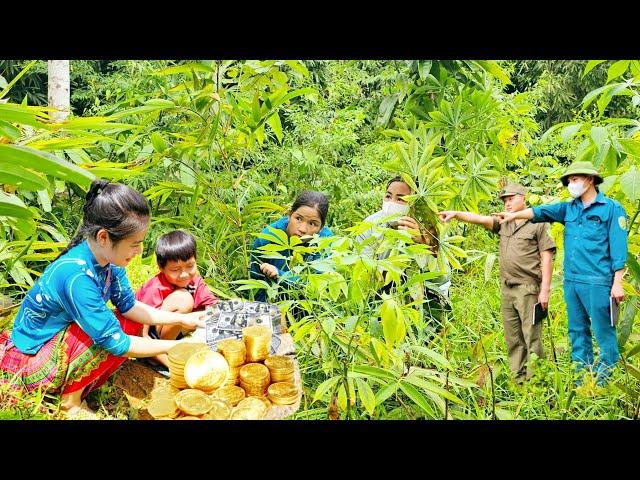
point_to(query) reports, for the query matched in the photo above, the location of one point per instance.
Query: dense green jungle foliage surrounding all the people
(221, 148)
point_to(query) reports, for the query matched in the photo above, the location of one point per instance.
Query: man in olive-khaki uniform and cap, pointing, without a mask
(526, 265)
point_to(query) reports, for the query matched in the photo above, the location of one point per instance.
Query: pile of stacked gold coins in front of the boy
(240, 381)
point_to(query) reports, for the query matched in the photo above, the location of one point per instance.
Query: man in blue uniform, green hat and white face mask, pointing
(595, 252)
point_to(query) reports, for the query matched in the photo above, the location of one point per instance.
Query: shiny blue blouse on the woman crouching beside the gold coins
(75, 288)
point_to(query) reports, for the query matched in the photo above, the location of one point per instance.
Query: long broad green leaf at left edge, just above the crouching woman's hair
(47, 163)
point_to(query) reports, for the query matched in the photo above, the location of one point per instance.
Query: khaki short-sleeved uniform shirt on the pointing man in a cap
(520, 248)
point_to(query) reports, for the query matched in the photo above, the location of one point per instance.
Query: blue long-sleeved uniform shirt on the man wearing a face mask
(595, 237)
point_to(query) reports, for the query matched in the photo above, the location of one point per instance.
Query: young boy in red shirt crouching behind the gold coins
(177, 288)
